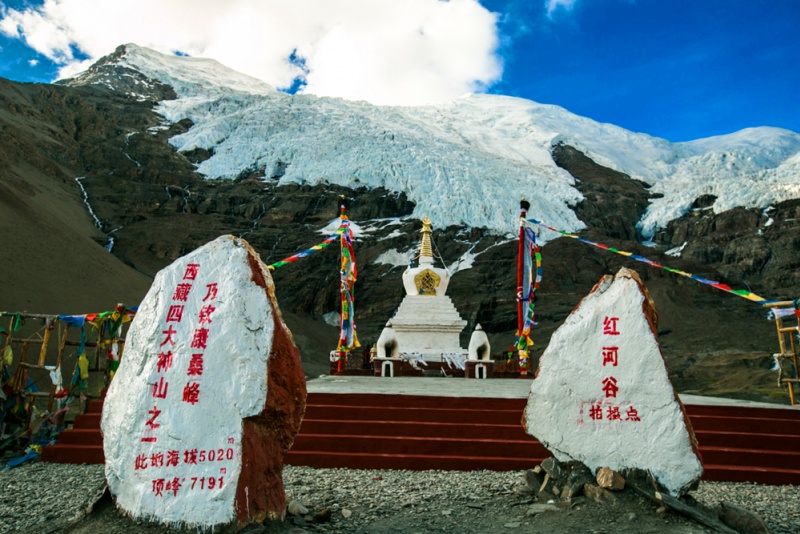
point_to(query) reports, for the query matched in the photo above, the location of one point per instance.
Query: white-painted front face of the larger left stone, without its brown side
(150, 442)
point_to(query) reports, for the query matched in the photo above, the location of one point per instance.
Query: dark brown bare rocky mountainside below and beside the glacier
(150, 199)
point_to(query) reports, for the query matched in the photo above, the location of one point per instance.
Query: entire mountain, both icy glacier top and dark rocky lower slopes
(164, 154)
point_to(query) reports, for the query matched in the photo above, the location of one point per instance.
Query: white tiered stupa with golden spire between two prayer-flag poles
(427, 322)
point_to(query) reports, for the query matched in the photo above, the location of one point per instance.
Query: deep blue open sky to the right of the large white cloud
(675, 69)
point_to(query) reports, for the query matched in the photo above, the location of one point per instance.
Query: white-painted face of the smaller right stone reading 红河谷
(568, 394)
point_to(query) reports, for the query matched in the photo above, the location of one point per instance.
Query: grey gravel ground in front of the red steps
(43, 498)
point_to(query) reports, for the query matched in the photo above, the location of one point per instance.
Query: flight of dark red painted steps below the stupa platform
(376, 431)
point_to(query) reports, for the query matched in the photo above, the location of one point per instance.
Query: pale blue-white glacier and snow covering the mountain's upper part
(466, 162)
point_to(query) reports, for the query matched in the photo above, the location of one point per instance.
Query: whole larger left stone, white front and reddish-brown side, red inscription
(208, 397)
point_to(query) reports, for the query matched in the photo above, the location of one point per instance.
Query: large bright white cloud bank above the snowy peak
(383, 51)
